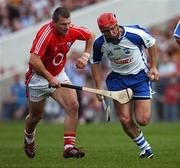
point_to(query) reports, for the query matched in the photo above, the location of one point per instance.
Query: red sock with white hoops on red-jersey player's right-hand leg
(69, 140)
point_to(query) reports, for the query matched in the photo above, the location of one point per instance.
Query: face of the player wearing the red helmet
(111, 32)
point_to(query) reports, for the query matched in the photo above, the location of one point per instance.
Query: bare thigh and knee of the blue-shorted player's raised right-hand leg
(142, 109)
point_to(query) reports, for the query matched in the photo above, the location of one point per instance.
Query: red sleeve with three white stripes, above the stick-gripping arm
(41, 41)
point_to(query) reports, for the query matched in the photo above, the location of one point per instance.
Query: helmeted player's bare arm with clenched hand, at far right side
(153, 74)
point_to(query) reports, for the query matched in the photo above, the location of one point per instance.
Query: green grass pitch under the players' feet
(105, 144)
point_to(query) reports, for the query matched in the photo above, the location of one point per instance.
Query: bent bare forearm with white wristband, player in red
(83, 60)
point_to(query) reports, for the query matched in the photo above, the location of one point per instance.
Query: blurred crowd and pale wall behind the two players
(21, 19)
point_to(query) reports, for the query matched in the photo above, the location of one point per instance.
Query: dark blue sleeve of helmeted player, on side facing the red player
(97, 54)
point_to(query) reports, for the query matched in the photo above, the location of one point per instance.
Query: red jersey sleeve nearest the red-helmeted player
(80, 33)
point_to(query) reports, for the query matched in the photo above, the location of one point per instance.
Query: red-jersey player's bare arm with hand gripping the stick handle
(38, 66)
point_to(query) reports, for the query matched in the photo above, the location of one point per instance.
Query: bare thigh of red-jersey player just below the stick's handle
(66, 97)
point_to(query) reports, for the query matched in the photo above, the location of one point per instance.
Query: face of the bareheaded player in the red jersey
(62, 25)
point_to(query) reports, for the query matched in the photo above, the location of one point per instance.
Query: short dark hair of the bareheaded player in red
(60, 11)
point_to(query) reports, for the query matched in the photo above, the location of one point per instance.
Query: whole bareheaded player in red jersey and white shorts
(46, 73)
